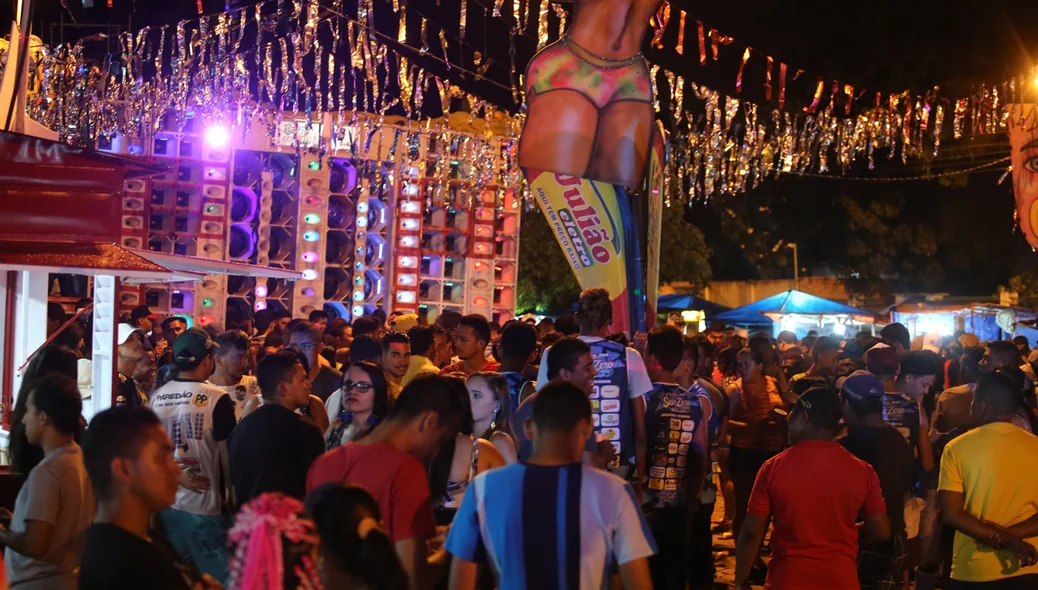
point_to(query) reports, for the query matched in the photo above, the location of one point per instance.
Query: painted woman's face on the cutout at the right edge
(1024, 143)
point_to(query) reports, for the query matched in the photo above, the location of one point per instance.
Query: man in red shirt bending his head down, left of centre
(390, 464)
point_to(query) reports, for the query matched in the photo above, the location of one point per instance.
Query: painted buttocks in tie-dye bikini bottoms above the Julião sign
(589, 97)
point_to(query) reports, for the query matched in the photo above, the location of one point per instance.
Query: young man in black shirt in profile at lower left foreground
(130, 460)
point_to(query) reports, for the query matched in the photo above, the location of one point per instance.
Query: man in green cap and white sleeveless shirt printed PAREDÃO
(199, 418)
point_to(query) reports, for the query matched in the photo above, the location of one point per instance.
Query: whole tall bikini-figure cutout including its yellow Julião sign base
(588, 145)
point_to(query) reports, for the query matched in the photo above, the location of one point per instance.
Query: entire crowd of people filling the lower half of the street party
(389, 453)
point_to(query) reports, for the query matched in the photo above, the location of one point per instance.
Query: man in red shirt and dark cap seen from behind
(815, 492)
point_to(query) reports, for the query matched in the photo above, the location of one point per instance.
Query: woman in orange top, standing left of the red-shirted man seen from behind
(757, 430)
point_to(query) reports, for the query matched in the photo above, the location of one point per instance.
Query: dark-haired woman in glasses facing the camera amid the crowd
(360, 405)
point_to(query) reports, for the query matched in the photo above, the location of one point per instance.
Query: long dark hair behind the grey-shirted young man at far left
(51, 359)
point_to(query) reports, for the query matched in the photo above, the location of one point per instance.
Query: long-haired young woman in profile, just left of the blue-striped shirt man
(491, 403)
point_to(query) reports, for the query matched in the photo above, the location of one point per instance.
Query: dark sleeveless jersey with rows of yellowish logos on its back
(673, 416)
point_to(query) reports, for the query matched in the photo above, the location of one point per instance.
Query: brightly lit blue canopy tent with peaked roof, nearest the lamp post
(799, 312)
